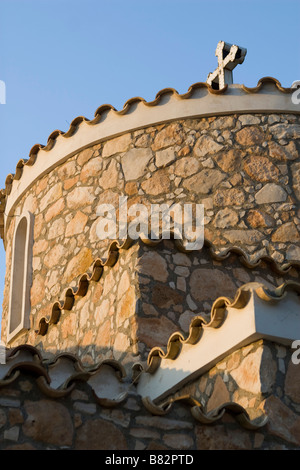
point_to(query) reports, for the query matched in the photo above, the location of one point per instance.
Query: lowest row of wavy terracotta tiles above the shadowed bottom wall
(57, 378)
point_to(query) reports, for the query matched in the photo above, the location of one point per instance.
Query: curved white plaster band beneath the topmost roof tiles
(171, 106)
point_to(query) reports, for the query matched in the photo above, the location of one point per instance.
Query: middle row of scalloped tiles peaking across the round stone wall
(113, 253)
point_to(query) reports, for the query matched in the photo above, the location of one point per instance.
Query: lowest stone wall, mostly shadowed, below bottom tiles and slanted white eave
(260, 377)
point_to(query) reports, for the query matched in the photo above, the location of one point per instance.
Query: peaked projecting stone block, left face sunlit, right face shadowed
(170, 289)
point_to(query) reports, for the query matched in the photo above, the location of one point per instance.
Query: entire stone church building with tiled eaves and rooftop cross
(143, 344)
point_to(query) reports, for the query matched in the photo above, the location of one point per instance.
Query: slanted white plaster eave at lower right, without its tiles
(273, 320)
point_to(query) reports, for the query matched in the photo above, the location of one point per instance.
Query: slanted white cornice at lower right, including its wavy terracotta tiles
(255, 313)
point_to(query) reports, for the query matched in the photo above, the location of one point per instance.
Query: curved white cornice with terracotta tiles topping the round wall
(200, 100)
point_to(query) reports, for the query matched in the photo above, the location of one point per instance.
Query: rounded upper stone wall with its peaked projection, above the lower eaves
(244, 169)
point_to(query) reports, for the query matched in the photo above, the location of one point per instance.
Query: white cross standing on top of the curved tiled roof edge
(229, 56)
